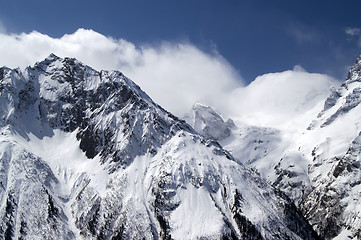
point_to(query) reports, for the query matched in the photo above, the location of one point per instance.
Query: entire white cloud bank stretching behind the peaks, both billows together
(176, 75)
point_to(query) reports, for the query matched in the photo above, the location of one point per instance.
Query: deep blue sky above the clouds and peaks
(256, 37)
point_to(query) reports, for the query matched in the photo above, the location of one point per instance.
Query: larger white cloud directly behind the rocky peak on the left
(175, 75)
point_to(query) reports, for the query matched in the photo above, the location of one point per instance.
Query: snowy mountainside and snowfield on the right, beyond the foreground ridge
(314, 159)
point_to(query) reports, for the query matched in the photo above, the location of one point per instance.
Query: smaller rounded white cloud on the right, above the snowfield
(279, 99)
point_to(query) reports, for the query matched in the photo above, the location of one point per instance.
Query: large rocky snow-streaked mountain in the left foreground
(88, 155)
